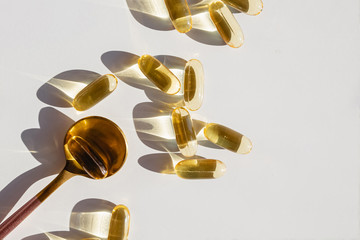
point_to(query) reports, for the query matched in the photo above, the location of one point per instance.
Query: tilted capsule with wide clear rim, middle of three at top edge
(226, 24)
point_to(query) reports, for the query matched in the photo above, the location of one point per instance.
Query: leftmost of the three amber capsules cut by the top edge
(180, 15)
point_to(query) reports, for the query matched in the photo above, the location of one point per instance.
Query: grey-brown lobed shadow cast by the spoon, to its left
(46, 146)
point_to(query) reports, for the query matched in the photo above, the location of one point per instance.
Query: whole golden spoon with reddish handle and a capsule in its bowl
(95, 147)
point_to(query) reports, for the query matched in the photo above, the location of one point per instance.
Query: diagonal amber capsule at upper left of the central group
(159, 75)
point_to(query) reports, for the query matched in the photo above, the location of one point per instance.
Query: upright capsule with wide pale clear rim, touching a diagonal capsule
(193, 84)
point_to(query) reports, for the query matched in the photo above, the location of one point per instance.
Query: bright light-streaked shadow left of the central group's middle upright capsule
(153, 126)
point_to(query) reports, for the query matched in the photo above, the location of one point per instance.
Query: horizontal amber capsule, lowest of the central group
(200, 169)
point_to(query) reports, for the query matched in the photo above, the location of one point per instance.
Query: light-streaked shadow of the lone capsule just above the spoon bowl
(60, 90)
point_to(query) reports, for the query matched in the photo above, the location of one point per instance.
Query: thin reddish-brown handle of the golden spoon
(16, 218)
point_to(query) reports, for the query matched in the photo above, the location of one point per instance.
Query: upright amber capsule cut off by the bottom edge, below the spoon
(120, 223)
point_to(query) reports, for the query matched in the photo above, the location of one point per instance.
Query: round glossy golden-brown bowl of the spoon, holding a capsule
(107, 144)
